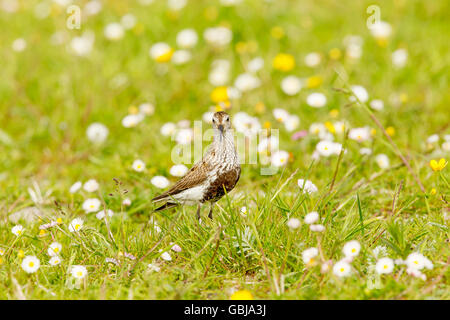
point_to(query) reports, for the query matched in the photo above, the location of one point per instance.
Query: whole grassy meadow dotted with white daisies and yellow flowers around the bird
(347, 106)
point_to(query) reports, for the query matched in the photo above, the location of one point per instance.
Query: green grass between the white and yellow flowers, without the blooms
(49, 96)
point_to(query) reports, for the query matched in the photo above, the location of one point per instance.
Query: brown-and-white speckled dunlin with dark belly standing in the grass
(209, 179)
